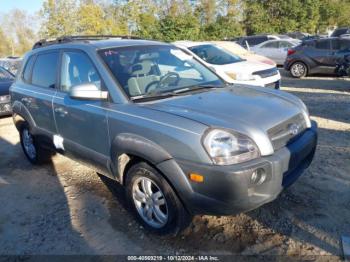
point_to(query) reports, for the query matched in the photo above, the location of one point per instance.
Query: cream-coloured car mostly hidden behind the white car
(236, 49)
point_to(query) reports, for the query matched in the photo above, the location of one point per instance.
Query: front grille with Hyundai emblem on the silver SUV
(285, 132)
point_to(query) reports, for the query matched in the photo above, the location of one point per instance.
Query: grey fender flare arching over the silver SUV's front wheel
(125, 145)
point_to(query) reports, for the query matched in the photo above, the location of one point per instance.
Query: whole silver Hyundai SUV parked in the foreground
(177, 137)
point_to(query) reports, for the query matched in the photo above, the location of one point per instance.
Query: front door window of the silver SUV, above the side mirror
(77, 69)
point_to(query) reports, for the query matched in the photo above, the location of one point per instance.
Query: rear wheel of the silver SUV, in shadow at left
(31, 148)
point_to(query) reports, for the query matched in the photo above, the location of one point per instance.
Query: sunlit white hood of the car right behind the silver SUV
(244, 67)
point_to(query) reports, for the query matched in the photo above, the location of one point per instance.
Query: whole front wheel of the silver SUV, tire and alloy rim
(146, 187)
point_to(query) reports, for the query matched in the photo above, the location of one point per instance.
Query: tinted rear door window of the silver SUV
(44, 71)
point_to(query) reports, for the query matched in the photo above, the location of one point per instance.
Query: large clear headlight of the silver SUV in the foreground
(226, 148)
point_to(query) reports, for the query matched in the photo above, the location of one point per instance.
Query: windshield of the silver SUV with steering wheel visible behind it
(150, 70)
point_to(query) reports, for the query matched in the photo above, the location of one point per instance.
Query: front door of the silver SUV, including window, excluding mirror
(81, 124)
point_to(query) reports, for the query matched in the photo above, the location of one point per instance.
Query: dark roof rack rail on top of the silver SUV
(72, 38)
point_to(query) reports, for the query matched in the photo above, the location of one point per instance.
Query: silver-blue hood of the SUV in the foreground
(239, 108)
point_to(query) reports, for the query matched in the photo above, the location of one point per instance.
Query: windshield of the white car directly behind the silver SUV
(215, 55)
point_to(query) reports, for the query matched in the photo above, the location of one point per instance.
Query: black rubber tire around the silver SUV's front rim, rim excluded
(177, 216)
